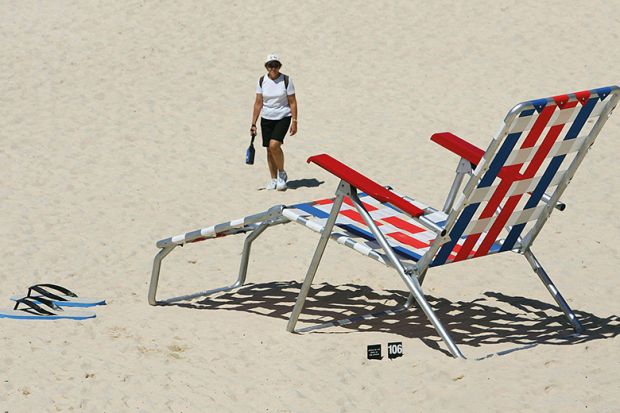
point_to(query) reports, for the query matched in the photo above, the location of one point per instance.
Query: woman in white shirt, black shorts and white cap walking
(277, 106)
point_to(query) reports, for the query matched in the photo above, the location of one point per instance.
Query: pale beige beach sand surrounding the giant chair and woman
(127, 122)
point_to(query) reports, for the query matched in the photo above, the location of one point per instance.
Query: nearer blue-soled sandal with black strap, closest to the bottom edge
(42, 309)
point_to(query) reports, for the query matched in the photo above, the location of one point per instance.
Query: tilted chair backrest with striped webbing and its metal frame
(536, 152)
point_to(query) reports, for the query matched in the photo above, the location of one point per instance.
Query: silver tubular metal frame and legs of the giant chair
(412, 275)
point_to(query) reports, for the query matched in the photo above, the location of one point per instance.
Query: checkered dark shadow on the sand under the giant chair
(495, 319)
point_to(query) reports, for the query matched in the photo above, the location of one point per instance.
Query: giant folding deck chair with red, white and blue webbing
(512, 189)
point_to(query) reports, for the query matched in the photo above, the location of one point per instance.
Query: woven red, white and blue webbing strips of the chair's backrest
(506, 165)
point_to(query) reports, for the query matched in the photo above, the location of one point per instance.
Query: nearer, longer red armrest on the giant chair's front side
(364, 184)
